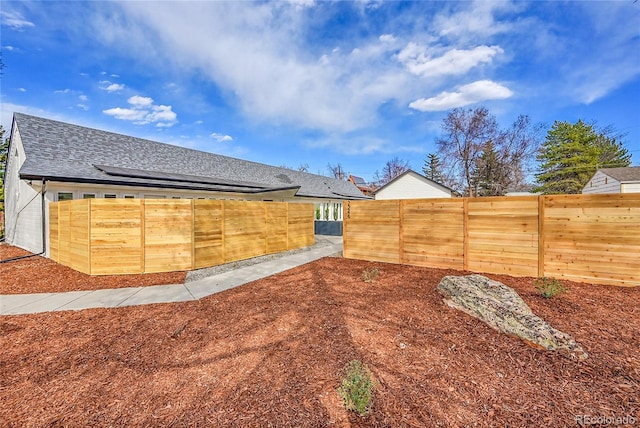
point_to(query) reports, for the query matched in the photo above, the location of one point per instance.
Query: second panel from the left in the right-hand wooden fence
(433, 233)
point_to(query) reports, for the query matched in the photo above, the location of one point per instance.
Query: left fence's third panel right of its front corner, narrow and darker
(208, 233)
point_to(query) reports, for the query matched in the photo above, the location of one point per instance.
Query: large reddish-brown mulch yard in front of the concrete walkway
(273, 352)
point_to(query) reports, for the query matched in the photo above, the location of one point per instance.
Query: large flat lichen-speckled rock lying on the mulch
(503, 309)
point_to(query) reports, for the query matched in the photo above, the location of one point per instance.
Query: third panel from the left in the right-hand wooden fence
(503, 235)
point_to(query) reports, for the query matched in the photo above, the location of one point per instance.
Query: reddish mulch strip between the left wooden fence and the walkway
(41, 275)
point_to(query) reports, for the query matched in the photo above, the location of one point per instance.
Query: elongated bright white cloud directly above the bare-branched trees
(482, 90)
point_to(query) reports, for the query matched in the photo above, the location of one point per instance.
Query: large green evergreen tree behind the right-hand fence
(572, 153)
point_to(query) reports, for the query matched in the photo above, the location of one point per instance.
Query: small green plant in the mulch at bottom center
(357, 388)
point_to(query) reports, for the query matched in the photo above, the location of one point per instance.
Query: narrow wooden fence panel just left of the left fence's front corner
(79, 235)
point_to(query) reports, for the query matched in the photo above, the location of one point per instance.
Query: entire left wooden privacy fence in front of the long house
(125, 236)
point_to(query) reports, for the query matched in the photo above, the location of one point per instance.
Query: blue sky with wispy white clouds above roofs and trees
(304, 82)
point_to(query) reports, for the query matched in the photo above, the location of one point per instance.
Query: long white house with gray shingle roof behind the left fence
(53, 161)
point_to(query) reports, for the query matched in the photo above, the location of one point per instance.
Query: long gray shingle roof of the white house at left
(62, 151)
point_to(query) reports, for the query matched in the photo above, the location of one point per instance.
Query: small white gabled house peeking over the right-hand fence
(411, 185)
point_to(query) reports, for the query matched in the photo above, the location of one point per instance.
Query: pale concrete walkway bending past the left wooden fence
(113, 298)
